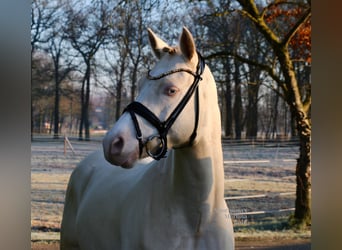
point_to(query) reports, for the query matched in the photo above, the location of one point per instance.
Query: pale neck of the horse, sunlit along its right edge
(197, 171)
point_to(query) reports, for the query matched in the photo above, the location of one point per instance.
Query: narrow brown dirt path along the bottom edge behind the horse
(240, 245)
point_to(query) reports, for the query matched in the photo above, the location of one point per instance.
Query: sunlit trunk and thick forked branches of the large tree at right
(299, 105)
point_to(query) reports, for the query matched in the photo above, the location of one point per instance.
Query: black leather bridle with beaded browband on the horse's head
(156, 145)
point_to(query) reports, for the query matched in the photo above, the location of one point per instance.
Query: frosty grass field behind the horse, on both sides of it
(265, 169)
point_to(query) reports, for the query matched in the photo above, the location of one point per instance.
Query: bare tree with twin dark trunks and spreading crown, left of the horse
(87, 28)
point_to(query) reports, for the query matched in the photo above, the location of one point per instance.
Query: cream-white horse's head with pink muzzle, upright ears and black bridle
(166, 112)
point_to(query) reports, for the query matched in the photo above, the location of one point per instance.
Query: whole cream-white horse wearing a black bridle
(174, 202)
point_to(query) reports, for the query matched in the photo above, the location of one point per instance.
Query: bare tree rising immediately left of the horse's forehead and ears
(125, 51)
